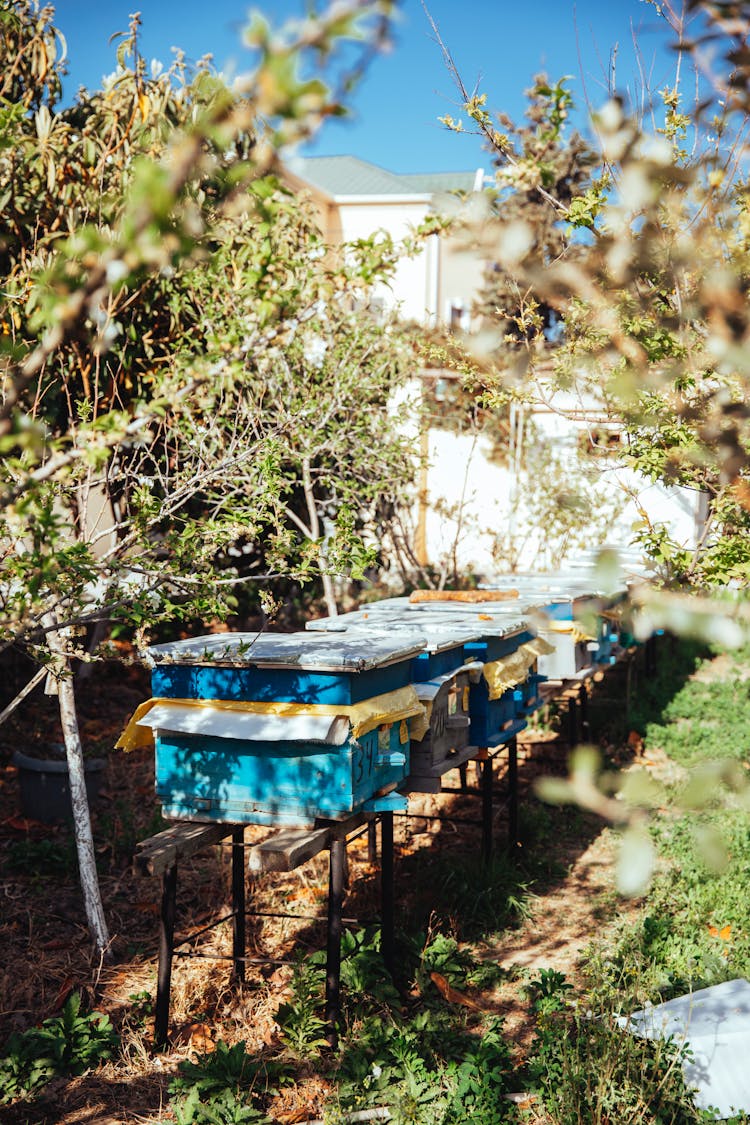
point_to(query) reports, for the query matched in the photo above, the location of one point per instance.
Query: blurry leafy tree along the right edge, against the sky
(648, 282)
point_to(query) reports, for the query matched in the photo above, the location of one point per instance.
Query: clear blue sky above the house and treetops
(500, 43)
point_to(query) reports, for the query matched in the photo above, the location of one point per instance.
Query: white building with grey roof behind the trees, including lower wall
(474, 512)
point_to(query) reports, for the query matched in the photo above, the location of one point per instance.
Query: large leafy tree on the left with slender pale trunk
(155, 274)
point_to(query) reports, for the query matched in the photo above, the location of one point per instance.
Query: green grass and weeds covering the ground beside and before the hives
(454, 1034)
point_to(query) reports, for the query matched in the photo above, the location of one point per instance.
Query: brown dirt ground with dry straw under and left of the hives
(47, 948)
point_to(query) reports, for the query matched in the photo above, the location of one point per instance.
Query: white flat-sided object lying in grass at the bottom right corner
(715, 1024)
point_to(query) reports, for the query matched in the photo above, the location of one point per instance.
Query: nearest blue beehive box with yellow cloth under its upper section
(283, 728)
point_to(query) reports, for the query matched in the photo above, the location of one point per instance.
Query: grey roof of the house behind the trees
(349, 176)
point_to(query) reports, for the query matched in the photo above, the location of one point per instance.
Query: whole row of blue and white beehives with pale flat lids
(363, 709)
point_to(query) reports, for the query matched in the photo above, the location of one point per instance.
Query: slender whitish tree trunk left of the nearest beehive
(87, 863)
